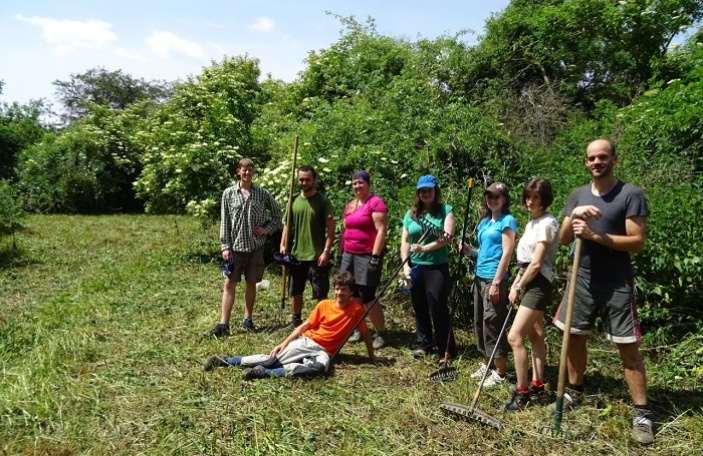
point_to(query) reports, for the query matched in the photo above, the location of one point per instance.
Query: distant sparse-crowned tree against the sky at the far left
(113, 89)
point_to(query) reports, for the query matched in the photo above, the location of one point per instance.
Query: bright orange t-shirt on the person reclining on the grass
(330, 325)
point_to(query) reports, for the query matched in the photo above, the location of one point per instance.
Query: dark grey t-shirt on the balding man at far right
(624, 201)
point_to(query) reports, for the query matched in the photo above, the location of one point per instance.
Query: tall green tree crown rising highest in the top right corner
(593, 49)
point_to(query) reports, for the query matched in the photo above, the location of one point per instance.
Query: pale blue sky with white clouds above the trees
(42, 40)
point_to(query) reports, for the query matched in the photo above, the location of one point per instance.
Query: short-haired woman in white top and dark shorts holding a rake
(532, 290)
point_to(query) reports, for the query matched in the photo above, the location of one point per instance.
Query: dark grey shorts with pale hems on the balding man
(614, 302)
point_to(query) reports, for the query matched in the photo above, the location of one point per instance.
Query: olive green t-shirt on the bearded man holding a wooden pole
(310, 226)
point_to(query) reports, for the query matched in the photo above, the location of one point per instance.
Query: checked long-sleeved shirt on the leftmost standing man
(240, 215)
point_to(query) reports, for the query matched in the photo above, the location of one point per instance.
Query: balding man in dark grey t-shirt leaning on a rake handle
(610, 217)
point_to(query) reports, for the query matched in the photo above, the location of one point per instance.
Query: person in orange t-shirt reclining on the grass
(308, 349)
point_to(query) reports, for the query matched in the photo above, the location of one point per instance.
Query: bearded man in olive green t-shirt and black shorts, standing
(311, 235)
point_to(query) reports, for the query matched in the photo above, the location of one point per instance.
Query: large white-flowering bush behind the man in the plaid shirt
(193, 142)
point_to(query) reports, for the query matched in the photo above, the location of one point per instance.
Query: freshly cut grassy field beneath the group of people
(101, 353)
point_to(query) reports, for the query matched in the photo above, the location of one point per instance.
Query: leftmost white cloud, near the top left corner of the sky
(67, 36)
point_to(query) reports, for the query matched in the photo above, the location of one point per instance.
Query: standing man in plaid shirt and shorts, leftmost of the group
(249, 215)
